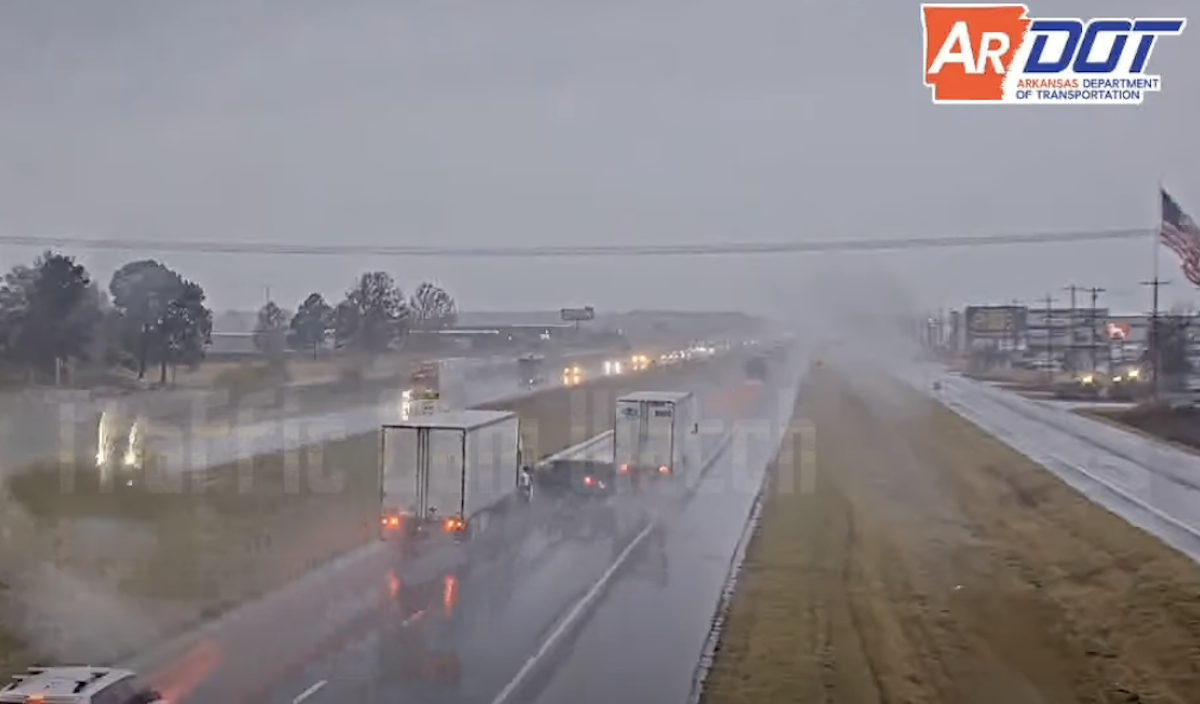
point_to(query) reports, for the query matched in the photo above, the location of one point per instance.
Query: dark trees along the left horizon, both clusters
(55, 315)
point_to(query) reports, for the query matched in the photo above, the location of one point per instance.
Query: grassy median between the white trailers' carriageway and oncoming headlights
(213, 539)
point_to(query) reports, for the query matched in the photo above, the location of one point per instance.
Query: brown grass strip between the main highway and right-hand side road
(931, 563)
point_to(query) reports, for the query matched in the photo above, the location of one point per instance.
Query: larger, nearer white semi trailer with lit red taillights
(442, 472)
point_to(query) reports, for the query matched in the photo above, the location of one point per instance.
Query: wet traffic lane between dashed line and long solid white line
(499, 611)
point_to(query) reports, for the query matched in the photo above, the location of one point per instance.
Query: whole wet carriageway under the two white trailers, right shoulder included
(561, 600)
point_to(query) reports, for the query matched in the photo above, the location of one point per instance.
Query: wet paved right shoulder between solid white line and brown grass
(645, 639)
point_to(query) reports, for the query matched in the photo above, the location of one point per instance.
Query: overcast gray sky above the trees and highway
(538, 122)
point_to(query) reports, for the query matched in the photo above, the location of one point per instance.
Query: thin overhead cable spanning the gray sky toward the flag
(818, 246)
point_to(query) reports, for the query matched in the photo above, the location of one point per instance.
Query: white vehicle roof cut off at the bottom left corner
(77, 685)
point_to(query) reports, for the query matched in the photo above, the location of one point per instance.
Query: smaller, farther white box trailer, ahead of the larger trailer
(657, 434)
